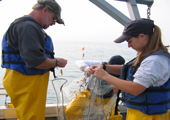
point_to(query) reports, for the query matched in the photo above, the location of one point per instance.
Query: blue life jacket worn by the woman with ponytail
(154, 100)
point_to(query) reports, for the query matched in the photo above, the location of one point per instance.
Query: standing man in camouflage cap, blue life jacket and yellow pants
(28, 56)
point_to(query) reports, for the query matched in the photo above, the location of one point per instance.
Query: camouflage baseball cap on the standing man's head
(55, 7)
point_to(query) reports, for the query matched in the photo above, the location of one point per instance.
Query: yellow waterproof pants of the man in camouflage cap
(27, 93)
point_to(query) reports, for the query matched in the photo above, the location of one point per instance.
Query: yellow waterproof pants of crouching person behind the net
(79, 105)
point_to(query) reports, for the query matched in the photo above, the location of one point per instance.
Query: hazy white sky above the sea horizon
(84, 21)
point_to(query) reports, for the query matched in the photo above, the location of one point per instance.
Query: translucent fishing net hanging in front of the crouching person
(91, 99)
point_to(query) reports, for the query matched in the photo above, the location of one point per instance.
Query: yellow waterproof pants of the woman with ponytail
(133, 114)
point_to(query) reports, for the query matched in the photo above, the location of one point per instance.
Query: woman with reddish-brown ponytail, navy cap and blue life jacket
(146, 79)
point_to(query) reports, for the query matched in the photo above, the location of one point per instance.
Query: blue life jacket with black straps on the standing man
(11, 59)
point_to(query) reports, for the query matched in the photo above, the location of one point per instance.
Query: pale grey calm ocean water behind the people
(72, 51)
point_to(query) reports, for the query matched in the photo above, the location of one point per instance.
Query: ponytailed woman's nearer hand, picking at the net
(98, 71)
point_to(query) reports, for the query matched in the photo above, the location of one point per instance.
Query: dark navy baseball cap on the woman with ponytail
(136, 27)
